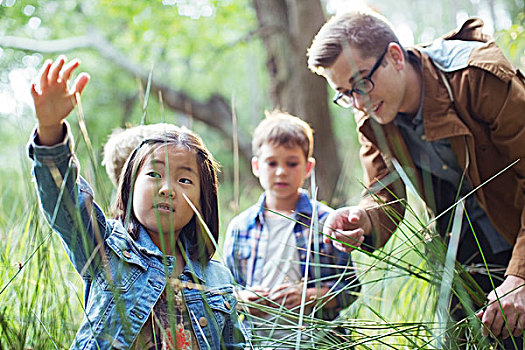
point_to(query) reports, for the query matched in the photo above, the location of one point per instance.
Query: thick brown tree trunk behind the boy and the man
(287, 29)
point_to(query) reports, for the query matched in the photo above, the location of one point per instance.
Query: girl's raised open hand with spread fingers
(56, 100)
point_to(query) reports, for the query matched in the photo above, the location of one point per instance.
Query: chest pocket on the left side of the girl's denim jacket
(121, 269)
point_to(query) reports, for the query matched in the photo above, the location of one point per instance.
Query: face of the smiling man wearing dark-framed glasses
(387, 98)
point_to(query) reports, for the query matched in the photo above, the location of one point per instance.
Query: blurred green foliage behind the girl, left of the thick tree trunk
(217, 53)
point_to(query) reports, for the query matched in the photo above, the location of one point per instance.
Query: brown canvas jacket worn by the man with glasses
(481, 110)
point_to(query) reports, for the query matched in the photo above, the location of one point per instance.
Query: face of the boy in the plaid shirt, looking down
(281, 170)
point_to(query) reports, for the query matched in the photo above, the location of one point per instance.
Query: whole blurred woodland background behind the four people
(212, 65)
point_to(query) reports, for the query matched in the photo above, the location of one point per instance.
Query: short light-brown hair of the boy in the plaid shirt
(283, 129)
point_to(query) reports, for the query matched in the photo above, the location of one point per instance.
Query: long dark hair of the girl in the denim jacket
(195, 239)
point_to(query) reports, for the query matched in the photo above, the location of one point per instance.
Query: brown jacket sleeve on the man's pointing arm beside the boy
(383, 188)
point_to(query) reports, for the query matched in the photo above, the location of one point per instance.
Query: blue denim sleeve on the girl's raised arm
(67, 201)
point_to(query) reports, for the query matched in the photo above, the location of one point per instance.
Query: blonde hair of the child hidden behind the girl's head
(122, 142)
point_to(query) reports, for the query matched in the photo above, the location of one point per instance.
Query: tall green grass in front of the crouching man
(397, 305)
